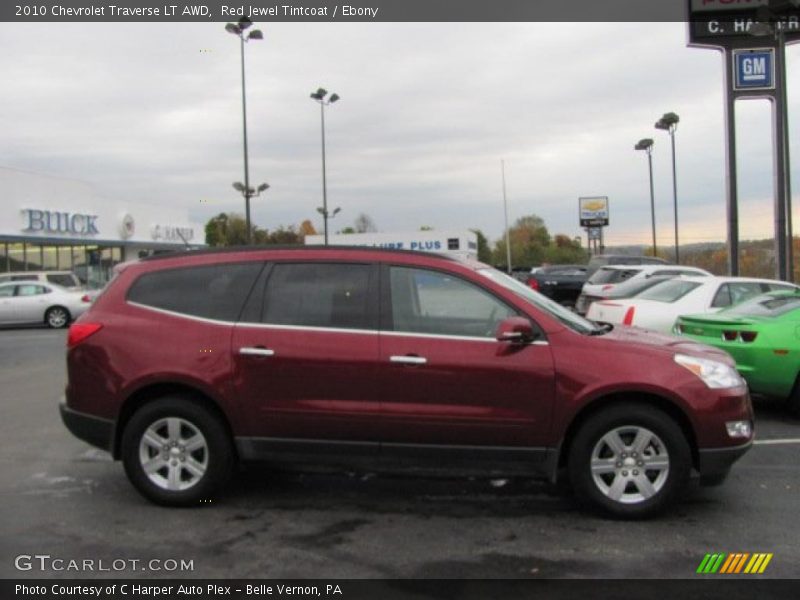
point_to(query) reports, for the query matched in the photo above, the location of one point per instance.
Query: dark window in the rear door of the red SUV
(319, 295)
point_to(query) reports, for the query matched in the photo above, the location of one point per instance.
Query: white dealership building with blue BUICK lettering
(53, 223)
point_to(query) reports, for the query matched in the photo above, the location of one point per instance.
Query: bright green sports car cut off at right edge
(763, 336)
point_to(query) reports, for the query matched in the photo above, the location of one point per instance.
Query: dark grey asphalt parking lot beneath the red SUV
(64, 499)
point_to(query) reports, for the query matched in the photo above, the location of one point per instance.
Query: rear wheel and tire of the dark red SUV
(187, 474)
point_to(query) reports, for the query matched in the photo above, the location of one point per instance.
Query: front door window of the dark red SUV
(438, 303)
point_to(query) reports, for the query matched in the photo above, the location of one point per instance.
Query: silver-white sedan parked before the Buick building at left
(23, 302)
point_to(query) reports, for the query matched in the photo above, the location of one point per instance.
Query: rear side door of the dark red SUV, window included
(305, 352)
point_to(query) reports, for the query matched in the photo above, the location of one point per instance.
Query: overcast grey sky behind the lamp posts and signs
(152, 113)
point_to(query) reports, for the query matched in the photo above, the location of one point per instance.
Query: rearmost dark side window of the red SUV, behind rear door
(213, 292)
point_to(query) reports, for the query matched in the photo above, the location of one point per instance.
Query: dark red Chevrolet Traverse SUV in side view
(388, 360)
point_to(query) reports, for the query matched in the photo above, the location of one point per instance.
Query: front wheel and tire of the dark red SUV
(641, 492)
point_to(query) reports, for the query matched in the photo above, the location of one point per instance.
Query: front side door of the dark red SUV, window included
(445, 382)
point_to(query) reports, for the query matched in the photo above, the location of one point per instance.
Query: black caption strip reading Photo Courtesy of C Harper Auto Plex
(702, 588)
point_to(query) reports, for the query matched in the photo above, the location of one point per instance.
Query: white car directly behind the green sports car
(658, 307)
